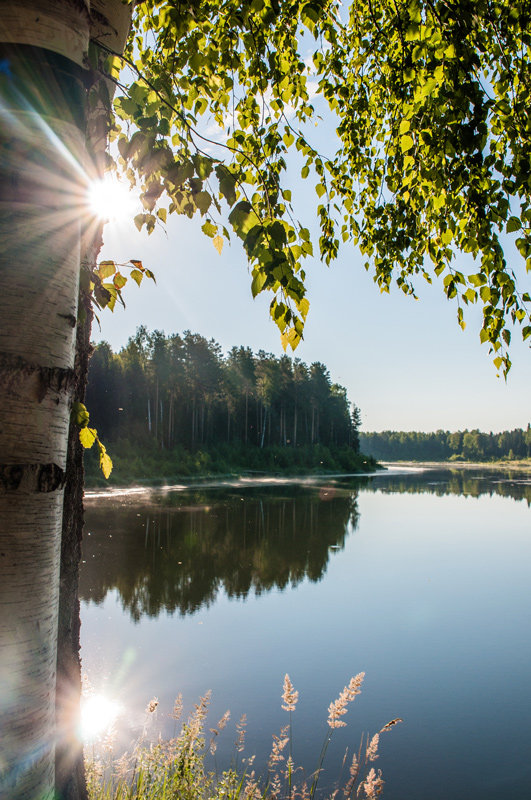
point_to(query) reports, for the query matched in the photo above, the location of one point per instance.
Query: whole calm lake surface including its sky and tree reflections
(421, 579)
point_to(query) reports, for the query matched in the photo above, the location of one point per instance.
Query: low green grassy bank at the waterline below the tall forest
(147, 463)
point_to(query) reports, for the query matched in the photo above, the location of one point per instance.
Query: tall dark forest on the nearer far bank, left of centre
(180, 392)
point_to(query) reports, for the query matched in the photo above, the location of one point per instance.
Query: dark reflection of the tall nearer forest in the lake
(180, 550)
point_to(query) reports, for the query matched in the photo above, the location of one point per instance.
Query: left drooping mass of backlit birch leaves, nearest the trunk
(236, 69)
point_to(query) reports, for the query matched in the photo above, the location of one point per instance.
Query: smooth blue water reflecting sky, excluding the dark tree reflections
(429, 596)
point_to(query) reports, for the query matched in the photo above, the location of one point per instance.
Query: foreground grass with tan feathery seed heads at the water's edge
(176, 769)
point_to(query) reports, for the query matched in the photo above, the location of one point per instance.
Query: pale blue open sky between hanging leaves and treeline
(405, 363)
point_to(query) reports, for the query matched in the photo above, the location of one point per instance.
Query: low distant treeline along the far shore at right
(464, 445)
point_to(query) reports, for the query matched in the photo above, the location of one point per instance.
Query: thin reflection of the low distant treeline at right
(470, 483)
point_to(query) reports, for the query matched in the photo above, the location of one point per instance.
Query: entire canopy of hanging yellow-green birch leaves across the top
(433, 163)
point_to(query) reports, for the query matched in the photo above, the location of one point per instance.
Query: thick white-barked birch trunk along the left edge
(41, 174)
